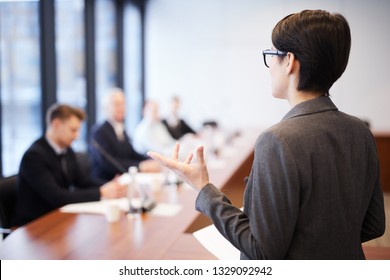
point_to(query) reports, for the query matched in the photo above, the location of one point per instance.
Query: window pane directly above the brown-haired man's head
(70, 55)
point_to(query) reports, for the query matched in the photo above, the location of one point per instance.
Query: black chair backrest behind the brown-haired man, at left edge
(7, 203)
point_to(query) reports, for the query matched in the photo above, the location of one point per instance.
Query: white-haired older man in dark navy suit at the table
(111, 150)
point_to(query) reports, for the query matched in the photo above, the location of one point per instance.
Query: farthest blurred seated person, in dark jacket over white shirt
(176, 126)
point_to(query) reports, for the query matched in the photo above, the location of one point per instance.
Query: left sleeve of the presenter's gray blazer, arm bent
(265, 228)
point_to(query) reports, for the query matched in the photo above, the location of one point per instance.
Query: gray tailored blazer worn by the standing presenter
(313, 191)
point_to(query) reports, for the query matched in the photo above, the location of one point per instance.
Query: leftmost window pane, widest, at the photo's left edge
(20, 86)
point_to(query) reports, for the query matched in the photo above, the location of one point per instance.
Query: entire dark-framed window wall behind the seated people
(68, 51)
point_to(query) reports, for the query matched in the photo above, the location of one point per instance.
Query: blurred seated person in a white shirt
(151, 134)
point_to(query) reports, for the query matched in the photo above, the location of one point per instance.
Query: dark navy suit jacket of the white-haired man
(121, 152)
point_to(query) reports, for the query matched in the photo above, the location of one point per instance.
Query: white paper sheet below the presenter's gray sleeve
(214, 242)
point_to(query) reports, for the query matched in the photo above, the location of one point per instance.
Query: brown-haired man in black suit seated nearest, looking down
(49, 175)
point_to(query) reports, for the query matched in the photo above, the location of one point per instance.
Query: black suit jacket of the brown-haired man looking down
(42, 187)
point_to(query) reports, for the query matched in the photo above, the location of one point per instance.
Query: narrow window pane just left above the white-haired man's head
(106, 51)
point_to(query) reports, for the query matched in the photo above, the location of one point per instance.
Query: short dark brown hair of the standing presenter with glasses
(320, 41)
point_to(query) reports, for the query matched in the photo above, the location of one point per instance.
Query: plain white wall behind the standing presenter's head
(209, 52)
